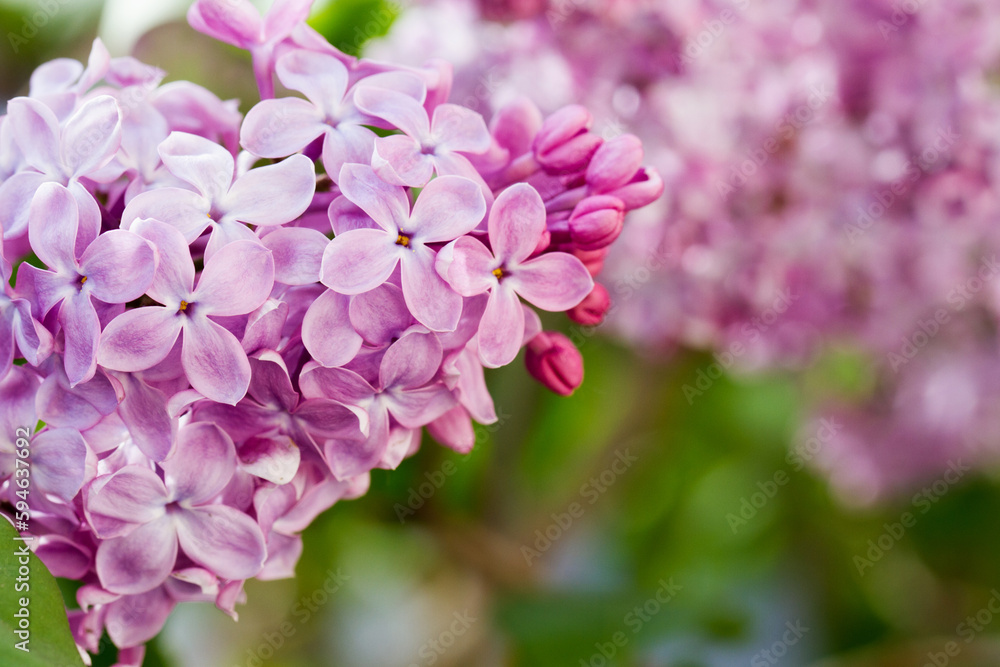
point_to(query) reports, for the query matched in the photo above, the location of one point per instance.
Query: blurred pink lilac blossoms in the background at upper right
(831, 174)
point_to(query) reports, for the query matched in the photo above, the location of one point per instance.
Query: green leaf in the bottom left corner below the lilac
(50, 643)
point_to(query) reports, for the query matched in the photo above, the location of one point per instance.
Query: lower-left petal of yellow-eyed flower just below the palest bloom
(138, 339)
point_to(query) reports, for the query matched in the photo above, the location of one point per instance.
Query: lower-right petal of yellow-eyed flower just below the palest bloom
(214, 361)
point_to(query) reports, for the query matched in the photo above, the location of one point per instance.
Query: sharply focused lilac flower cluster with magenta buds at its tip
(224, 324)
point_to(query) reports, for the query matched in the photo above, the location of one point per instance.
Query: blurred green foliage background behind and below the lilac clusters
(630, 524)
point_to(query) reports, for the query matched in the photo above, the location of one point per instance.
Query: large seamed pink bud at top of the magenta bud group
(564, 144)
